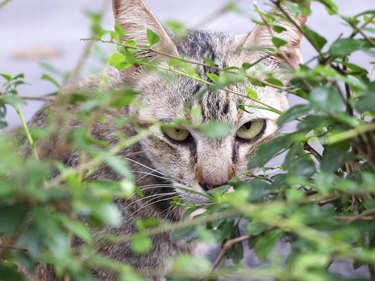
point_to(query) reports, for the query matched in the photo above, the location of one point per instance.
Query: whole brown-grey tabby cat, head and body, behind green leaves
(182, 156)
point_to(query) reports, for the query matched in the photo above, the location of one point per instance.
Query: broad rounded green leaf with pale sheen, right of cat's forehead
(327, 99)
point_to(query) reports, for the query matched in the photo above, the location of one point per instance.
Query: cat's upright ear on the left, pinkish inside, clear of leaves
(135, 17)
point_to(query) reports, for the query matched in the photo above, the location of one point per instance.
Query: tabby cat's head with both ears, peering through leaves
(184, 154)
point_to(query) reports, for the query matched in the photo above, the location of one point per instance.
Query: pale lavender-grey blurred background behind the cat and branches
(44, 36)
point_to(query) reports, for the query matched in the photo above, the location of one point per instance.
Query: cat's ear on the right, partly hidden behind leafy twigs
(261, 36)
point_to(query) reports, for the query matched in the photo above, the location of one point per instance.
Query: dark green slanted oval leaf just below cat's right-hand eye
(269, 150)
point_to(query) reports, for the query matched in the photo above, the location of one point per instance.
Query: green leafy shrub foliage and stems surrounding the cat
(319, 199)
